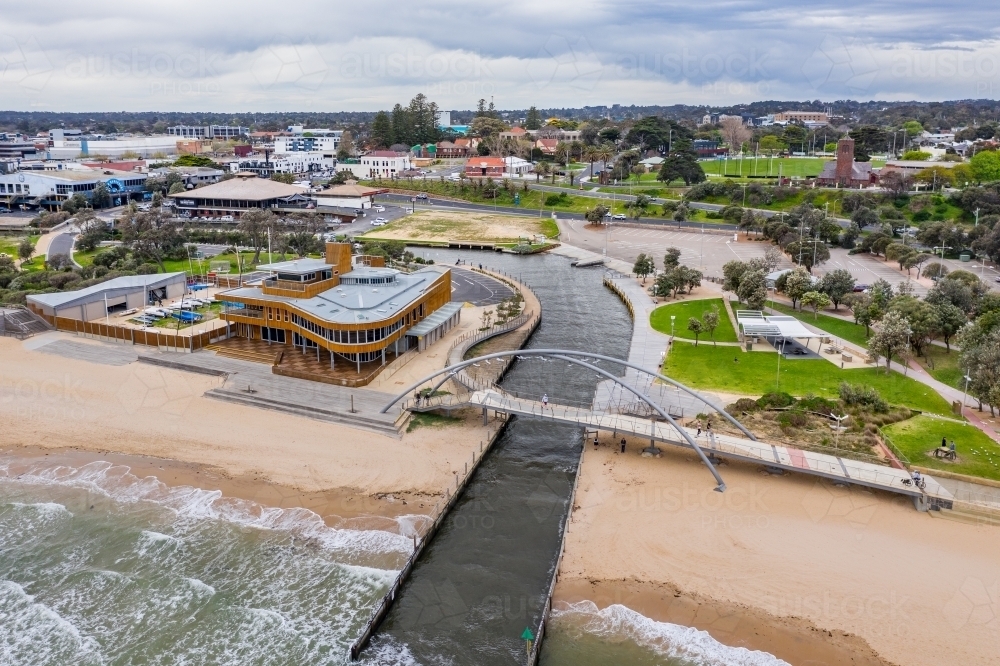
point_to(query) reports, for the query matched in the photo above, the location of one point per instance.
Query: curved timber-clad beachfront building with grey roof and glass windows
(343, 310)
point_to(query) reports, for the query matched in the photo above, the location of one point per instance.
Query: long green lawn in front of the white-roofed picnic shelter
(755, 373)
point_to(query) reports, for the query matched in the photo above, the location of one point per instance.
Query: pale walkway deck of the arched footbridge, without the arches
(845, 470)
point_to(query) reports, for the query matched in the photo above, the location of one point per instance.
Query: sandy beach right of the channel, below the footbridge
(810, 572)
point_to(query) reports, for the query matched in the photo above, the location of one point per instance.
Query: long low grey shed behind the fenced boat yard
(116, 295)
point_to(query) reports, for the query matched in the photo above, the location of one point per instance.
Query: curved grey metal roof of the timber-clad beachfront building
(355, 303)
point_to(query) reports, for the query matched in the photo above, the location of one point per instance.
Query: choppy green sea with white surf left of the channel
(100, 567)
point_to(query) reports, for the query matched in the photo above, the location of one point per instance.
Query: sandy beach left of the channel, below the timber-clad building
(157, 421)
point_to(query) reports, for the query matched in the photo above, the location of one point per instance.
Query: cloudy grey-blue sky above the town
(302, 55)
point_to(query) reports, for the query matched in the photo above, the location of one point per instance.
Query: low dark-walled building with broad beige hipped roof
(236, 196)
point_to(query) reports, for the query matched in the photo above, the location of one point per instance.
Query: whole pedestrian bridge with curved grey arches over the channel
(630, 406)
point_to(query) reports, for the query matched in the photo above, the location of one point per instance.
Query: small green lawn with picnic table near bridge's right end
(978, 455)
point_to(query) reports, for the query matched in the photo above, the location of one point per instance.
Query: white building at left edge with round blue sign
(48, 189)
